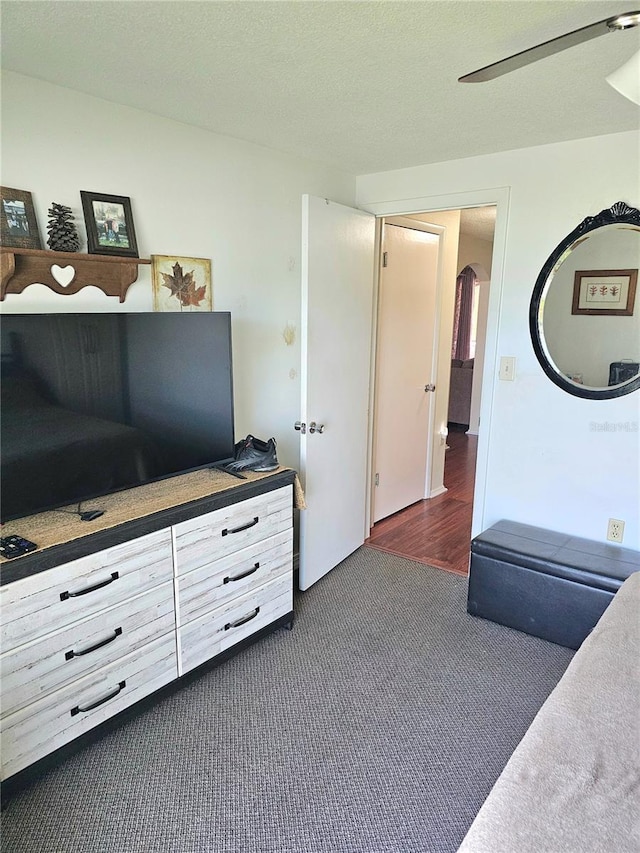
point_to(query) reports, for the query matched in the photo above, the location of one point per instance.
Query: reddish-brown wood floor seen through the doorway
(437, 531)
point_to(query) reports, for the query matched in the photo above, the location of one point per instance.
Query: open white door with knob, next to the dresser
(336, 333)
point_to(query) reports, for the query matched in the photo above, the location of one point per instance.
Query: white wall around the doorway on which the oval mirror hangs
(553, 460)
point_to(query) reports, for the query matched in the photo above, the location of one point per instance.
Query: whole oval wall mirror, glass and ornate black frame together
(583, 319)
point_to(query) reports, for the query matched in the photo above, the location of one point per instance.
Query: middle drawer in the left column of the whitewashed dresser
(35, 669)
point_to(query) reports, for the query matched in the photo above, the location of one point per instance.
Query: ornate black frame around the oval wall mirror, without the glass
(618, 214)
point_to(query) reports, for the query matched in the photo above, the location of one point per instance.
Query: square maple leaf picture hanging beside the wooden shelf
(181, 284)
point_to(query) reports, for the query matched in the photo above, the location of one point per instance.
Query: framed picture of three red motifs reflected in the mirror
(604, 292)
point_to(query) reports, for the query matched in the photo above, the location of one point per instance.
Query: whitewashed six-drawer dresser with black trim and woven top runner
(98, 624)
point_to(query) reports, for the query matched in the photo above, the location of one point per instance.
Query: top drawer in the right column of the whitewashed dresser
(216, 534)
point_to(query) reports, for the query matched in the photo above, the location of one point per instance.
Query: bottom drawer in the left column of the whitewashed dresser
(42, 727)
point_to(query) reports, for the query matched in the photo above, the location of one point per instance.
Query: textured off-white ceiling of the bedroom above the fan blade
(363, 86)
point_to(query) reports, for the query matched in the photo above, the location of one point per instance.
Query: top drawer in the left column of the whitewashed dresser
(56, 597)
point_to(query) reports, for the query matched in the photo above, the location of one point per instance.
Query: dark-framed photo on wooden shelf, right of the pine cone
(109, 224)
